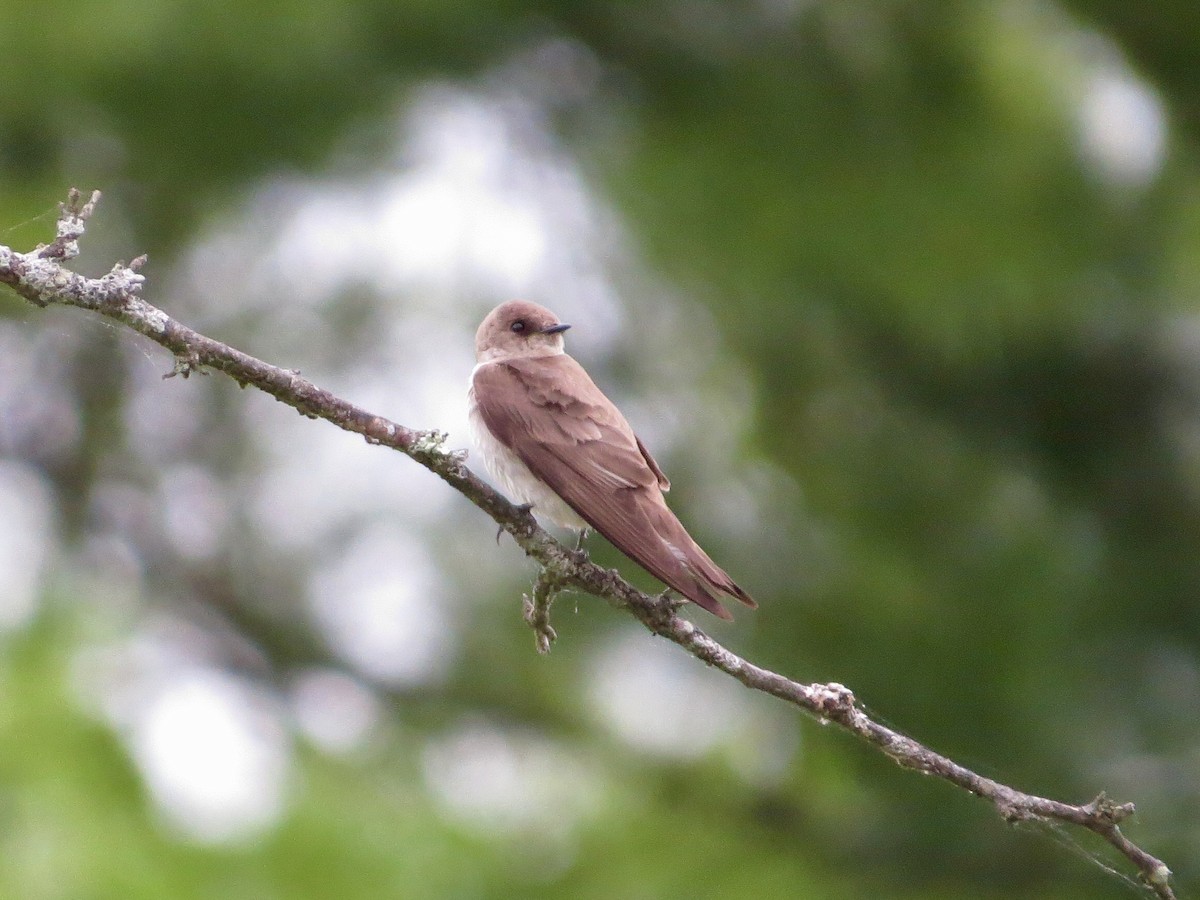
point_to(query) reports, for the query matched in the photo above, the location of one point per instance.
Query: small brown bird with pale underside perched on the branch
(555, 443)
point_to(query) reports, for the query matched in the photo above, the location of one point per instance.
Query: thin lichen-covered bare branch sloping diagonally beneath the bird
(41, 279)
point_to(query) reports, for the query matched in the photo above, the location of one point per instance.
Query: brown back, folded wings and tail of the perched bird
(550, 413)
